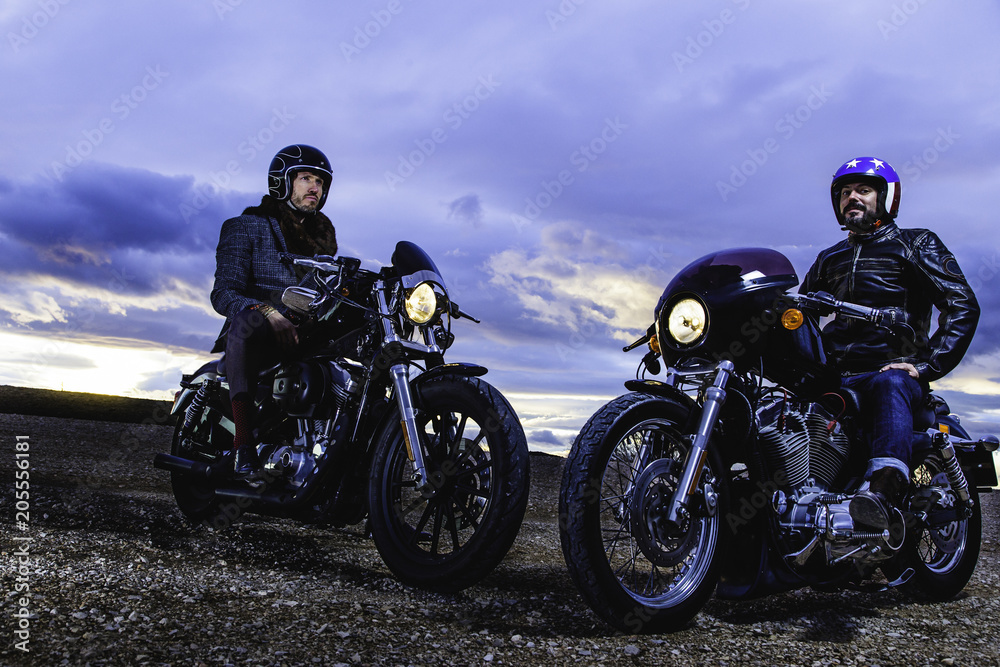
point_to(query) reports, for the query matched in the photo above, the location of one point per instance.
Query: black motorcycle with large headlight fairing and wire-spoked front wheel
(735, 473)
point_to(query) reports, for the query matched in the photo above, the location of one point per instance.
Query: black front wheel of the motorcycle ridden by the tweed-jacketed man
(450, 532)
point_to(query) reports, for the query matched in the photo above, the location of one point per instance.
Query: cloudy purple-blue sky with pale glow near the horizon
(560, 160)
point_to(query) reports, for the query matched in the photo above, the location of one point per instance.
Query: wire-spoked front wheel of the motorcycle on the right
(636, 570)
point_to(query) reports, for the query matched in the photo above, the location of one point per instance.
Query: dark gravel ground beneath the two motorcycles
(116, 577)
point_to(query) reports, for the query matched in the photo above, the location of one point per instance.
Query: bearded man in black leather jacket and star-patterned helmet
(909, 271)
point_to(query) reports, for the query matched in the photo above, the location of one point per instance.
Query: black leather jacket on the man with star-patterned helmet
(910, 270)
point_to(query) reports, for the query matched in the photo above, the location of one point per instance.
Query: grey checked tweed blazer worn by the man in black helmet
(248, 266)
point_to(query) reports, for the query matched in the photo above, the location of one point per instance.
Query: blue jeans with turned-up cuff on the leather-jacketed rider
(888, 400)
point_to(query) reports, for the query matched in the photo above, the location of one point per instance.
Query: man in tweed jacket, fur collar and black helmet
(250, 279)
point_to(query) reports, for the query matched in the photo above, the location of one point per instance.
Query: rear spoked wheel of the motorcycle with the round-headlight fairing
(943, 555)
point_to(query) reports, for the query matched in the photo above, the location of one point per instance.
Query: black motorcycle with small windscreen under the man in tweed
(366, 421)
